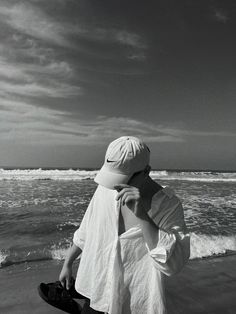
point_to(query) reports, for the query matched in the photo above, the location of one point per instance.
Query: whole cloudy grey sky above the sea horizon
(77, 74)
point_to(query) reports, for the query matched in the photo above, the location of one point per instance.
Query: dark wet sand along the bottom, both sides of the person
(203, 286)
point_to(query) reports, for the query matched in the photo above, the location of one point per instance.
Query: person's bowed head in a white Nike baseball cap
(125, 158)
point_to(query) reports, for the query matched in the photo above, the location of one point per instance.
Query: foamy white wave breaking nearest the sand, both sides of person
(201, 246)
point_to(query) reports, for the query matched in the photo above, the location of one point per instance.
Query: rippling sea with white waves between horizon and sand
(41, 209)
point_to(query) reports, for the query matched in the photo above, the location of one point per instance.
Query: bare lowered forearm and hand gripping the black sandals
(65, 276)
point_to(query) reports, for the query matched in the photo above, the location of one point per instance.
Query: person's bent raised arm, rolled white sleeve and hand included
(168, 242)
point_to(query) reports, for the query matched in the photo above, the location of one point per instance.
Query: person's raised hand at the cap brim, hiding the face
(131, 197)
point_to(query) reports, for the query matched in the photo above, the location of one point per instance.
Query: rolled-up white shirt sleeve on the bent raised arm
(173, 248)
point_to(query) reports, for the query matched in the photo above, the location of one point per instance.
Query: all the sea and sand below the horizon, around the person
(41, 209)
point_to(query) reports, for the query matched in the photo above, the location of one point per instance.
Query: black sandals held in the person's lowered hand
(56, 295)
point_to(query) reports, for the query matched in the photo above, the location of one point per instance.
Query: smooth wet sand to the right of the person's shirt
(204, 286)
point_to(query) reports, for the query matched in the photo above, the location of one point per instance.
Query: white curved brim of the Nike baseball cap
(109, 179)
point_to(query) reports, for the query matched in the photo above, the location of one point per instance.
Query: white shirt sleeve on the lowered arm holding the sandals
(79, 237)
